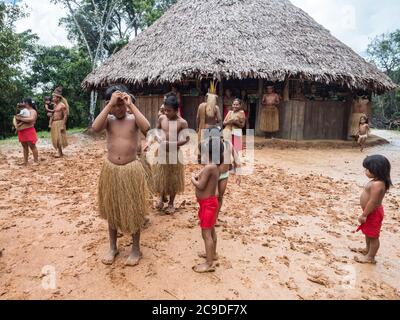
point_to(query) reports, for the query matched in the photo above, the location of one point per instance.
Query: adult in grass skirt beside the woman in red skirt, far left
(59, 121)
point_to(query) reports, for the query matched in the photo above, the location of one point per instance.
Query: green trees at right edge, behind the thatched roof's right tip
(384, 51)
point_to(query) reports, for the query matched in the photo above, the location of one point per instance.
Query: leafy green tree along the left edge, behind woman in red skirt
(15, 48)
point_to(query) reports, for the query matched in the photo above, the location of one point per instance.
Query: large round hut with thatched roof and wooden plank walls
(246, 45)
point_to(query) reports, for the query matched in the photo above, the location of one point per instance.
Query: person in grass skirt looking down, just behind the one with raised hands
(169, 178)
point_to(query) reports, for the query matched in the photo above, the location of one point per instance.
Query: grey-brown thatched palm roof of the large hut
(267, 39)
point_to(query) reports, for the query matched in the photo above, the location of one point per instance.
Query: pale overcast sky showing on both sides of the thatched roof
(355, 22)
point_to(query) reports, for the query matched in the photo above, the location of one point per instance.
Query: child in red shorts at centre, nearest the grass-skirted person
(206, 183)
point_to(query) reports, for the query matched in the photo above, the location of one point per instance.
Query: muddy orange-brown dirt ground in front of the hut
(286, 232)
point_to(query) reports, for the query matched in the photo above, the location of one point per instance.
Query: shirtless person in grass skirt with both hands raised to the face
(123, 191)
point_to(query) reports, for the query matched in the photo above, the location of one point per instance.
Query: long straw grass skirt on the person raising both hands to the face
(123, 196)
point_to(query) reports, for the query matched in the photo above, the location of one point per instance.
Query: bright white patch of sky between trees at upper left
(43, 20)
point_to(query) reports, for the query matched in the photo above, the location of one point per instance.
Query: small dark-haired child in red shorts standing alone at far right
(377, 168)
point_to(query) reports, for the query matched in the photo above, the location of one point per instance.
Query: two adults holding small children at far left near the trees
(24, 122)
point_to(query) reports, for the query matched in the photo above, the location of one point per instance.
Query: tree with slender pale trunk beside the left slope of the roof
(102, 27)
